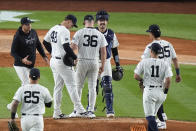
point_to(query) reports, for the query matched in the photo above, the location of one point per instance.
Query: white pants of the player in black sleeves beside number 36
(64, 75)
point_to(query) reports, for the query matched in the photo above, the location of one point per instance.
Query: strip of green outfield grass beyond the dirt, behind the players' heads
(172, 25)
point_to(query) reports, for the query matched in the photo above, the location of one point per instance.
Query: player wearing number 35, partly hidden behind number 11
(168, 54)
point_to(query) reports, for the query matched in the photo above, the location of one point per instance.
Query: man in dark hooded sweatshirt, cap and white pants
(23, 50)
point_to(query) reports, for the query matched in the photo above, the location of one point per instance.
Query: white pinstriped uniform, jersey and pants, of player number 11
(154, 72)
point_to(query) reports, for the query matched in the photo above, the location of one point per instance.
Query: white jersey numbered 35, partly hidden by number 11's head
(167, 52)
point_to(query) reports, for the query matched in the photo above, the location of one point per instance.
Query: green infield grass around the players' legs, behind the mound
(180, 103)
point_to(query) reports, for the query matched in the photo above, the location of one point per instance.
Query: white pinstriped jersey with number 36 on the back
(89, 41)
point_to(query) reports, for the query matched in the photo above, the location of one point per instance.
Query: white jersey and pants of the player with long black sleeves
(57, 36)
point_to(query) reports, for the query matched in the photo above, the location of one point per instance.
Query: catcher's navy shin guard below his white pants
(106, 84)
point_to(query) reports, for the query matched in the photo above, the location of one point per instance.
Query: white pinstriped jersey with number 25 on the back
(33, 98)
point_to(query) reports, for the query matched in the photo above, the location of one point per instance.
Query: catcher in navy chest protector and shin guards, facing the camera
(102, 18)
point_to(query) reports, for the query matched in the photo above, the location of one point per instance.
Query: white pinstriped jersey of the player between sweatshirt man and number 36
(57, 36)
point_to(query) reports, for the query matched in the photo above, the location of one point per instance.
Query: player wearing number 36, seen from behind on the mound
(89, 41)
